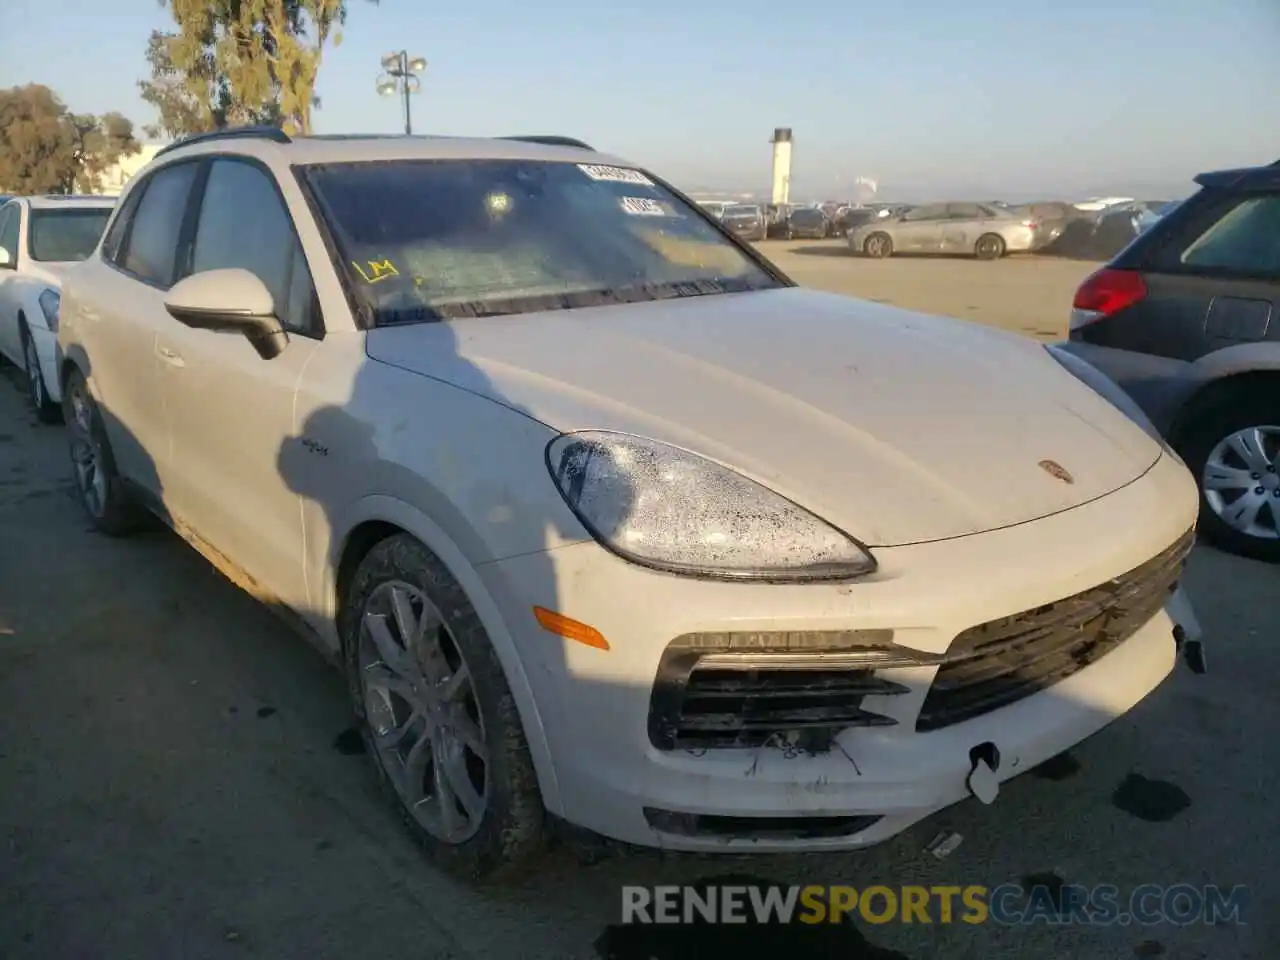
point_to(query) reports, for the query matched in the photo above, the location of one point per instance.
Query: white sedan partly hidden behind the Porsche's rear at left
(40, 237)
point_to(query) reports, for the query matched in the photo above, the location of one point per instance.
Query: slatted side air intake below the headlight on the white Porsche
(799, 691)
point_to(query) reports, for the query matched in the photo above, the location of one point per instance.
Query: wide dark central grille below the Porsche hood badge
(998, 664)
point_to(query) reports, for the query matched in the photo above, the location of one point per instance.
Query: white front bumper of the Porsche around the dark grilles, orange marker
(601, 769)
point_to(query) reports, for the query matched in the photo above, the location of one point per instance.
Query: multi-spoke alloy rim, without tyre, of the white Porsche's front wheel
(423, 712)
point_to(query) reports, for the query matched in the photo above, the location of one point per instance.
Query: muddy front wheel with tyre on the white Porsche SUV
(438, 719)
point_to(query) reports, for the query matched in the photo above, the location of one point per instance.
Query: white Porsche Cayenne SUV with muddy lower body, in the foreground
(606, 519)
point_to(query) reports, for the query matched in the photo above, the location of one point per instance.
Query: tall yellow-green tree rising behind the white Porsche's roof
(235, 62)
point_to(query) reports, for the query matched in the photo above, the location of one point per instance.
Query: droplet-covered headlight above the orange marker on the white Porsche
(665, 508)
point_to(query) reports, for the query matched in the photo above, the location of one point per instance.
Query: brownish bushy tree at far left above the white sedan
(45, 149)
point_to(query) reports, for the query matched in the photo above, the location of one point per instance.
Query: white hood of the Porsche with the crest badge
(897, 427)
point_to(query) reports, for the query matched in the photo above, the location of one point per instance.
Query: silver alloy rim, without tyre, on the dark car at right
(1242, 482)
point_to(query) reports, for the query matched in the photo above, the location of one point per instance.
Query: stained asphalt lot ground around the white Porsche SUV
(179, 779)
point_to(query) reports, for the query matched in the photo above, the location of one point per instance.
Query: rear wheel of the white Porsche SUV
(102, 491)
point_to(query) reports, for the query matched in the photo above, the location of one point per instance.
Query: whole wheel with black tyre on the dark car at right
(1233, 447)
